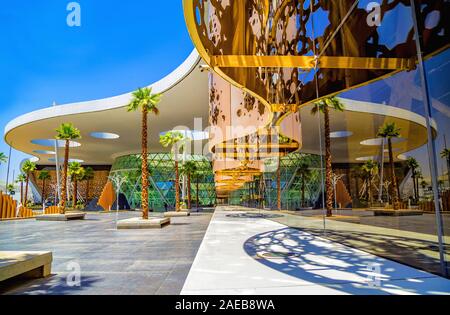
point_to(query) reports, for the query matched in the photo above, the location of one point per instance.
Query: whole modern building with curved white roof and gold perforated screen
(247, 99)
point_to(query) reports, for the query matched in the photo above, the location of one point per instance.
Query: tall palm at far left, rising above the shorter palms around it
(66, 132)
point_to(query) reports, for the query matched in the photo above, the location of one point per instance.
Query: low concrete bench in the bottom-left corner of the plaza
(26, 264)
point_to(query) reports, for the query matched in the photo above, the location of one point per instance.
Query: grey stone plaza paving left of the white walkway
(110, 261)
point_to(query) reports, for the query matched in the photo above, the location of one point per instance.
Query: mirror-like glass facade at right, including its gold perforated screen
(381, 183)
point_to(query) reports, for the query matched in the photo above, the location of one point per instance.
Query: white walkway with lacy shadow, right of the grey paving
(245, 253)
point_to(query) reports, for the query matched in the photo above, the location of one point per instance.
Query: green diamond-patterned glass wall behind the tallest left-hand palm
(161, 182)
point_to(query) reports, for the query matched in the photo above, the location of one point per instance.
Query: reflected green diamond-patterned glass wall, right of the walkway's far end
(263, 191)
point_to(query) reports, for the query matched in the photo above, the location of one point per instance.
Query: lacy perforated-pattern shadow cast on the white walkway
(317, 260)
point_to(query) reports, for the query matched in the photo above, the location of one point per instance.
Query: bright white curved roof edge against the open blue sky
(161, 86)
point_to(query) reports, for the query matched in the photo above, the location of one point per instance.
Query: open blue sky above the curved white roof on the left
(120, 45)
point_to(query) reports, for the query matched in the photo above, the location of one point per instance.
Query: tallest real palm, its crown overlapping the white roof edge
(146, 101)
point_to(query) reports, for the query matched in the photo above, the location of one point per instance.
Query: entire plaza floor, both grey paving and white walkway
(236, 250)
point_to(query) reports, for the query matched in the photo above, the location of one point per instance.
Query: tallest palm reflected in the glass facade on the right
(324, 106)
